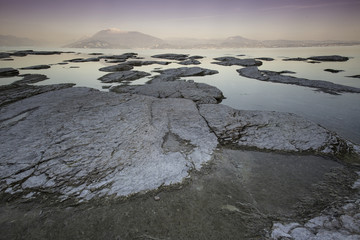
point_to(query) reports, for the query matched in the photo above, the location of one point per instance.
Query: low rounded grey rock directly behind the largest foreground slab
(197, 92)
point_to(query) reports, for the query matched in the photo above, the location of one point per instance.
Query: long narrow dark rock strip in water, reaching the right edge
(271, 76)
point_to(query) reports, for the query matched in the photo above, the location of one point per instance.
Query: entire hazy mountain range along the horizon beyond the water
(115, 38)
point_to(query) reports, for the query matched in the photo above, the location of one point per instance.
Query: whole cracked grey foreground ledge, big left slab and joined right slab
(82, 143)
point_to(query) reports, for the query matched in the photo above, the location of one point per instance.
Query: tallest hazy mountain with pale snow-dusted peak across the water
(115, 38)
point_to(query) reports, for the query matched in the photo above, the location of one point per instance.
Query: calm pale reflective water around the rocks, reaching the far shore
(340, 114)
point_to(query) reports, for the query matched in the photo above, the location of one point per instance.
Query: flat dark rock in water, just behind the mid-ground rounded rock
(173, 74)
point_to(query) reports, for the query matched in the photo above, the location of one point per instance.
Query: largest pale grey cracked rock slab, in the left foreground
(83, 143)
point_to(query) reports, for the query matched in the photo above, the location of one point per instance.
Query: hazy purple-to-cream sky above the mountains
(68, 20)
